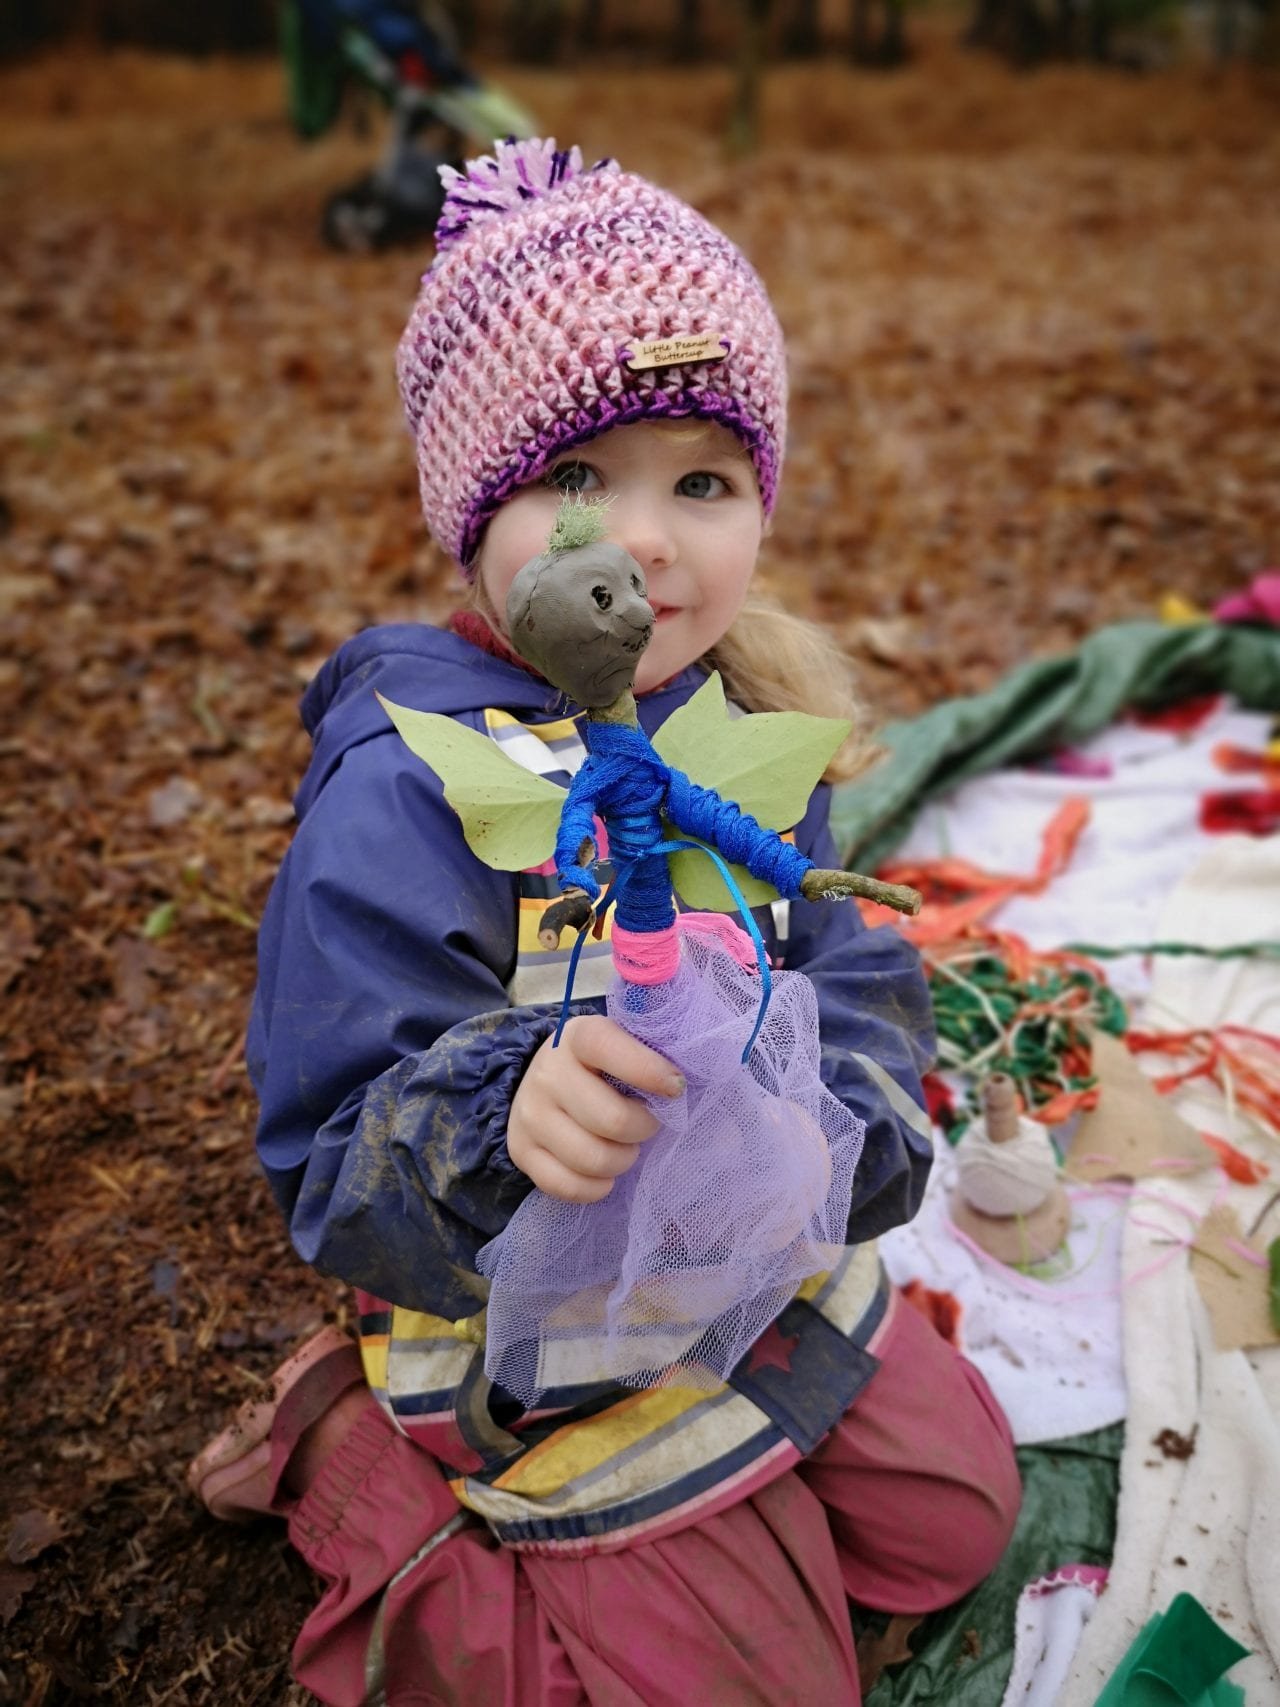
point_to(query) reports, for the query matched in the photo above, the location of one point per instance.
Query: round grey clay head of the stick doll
(583, 620)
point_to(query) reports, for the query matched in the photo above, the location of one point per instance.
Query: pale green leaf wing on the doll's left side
(509, 815)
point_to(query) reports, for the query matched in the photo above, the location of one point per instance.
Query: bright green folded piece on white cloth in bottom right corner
(1178, 1662)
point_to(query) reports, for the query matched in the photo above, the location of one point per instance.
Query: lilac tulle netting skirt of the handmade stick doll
(733, 1204)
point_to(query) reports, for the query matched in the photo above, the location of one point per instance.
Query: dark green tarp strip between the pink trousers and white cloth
(963, 1655)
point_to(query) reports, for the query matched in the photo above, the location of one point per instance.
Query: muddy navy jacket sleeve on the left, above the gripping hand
(381, 1042)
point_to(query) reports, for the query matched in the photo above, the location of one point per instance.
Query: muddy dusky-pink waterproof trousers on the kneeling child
(905, 1506)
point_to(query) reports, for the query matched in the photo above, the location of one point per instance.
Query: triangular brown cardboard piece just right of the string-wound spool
(1134, 1127)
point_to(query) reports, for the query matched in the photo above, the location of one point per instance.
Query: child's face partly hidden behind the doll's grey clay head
(684, 503)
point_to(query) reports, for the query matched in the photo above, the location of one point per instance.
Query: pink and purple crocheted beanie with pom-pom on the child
(545, 283)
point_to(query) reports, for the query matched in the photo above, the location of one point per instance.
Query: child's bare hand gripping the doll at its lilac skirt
(569, 1131)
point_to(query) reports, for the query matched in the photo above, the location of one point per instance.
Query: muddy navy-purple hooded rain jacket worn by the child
(383, 1046)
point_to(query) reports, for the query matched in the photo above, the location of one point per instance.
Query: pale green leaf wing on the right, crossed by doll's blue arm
(767, 762)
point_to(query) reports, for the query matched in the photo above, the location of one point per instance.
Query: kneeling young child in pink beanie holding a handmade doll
(617, 1547)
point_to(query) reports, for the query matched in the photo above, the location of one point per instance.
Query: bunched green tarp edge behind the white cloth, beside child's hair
(1042, 708)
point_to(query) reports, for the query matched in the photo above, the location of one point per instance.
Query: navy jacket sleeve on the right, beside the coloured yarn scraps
(876, 1028)
